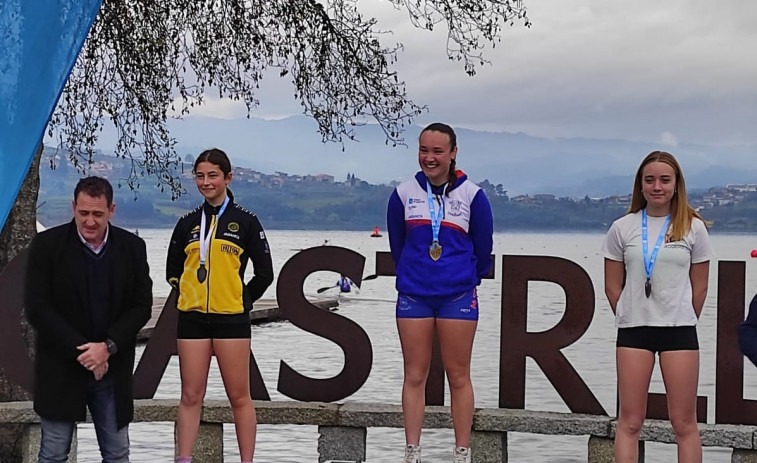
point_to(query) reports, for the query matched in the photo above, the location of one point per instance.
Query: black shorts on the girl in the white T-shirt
(659, 338)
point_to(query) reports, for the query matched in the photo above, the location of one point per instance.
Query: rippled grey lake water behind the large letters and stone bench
(373, 308)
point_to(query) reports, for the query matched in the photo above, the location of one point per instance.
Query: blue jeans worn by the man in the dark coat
(114, 443)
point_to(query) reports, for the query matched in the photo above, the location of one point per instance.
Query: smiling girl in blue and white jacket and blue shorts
(440, 233)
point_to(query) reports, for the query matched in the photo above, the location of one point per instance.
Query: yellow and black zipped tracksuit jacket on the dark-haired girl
(238, 237)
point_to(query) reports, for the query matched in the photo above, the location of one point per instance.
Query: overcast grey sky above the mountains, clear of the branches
(673, 71)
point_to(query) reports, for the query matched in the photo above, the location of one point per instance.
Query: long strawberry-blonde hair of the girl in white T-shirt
(681, 212)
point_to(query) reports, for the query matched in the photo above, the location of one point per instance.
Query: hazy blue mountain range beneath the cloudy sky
(523, 164)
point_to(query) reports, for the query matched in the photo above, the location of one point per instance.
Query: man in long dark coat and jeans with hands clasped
(88, 292)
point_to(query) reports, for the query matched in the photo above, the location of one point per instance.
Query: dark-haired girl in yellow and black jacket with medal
(207, 258)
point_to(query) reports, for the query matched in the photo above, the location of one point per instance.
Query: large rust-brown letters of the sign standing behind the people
(516, 343)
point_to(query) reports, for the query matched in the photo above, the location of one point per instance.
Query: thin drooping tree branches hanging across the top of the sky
(146, 62)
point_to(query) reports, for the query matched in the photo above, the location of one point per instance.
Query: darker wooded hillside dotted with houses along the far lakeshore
(284, 201)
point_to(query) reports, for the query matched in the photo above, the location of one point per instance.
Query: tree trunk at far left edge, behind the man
(16, 235)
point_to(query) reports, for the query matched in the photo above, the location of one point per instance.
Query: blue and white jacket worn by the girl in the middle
(465, 236)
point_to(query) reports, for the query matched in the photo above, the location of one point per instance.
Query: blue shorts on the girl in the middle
(462, 306)
